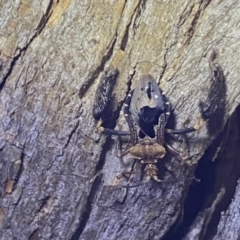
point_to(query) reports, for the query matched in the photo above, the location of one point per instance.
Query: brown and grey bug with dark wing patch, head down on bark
(146, 110)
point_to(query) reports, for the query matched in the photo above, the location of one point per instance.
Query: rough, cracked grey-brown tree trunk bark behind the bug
(59, 177)
